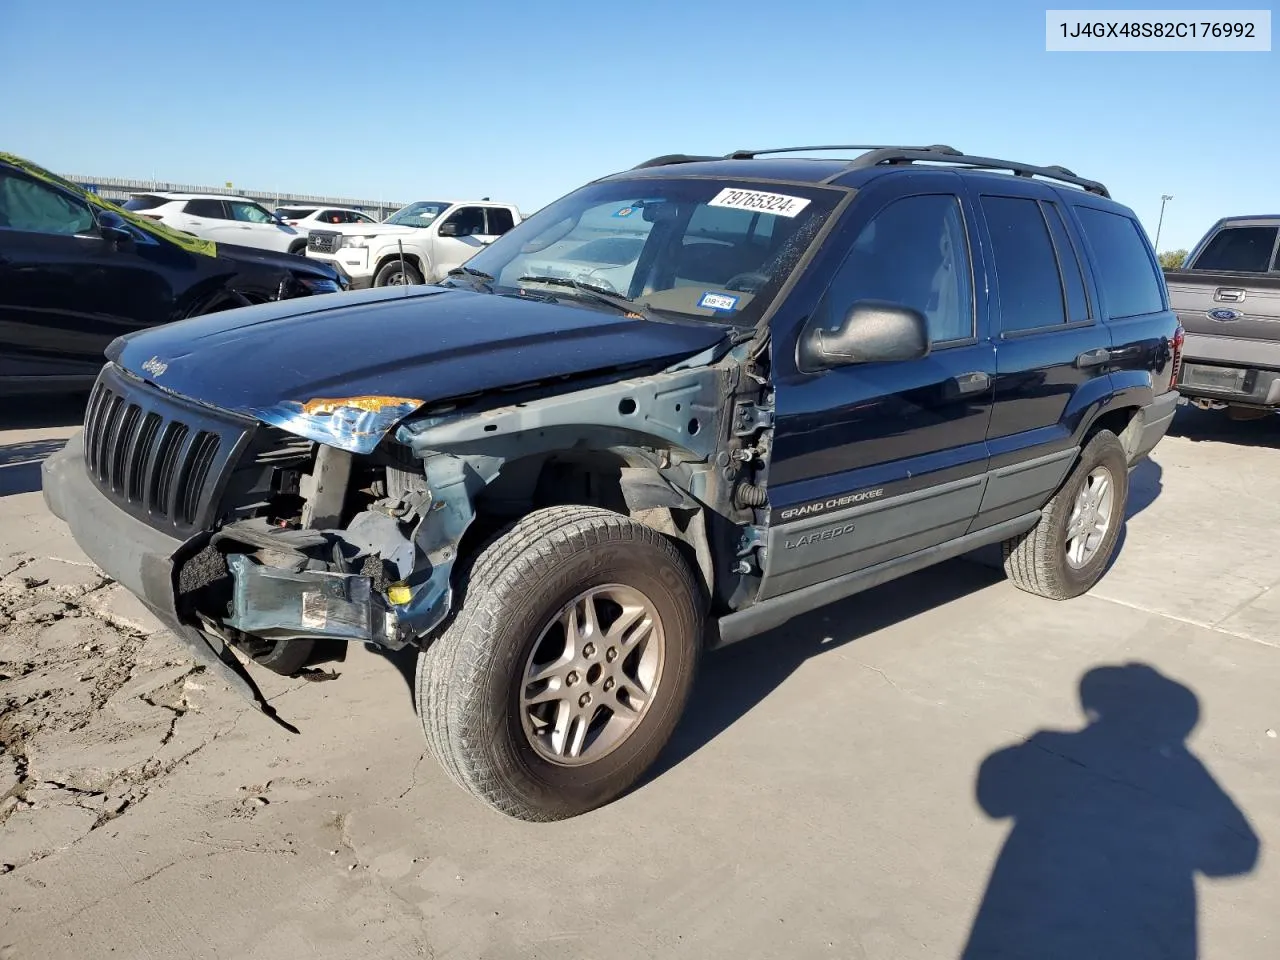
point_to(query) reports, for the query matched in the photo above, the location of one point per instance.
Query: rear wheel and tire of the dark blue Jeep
(1076, 538)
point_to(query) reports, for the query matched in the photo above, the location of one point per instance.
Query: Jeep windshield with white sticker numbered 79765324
(692, 248)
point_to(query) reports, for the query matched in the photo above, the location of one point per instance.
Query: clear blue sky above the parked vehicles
(524, 102)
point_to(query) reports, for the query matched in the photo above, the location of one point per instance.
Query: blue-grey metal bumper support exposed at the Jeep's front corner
(280, 605)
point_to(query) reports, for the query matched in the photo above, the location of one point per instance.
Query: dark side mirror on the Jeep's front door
(872, 332)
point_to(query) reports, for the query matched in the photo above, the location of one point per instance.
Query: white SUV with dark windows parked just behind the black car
(222, 220)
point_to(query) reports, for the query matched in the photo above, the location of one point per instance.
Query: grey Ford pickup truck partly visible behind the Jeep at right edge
(1228, 299)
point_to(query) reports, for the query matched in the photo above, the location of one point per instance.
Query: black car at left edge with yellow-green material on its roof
(77, 272)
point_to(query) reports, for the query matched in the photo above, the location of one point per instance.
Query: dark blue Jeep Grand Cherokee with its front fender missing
(671, 410)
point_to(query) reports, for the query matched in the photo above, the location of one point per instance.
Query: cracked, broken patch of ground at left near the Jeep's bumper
(90, 710)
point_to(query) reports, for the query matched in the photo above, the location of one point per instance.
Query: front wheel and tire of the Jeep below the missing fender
(568, 666)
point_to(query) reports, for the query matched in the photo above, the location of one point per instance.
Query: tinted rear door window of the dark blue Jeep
(1027, 275)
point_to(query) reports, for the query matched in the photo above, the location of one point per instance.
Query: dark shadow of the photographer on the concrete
(1112, 825)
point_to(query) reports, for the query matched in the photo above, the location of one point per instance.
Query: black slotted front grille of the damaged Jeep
(156, 456)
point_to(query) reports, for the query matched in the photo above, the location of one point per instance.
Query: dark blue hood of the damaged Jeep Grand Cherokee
(346, 368)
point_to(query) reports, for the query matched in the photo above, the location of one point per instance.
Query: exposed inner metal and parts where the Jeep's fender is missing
(321, 545)
